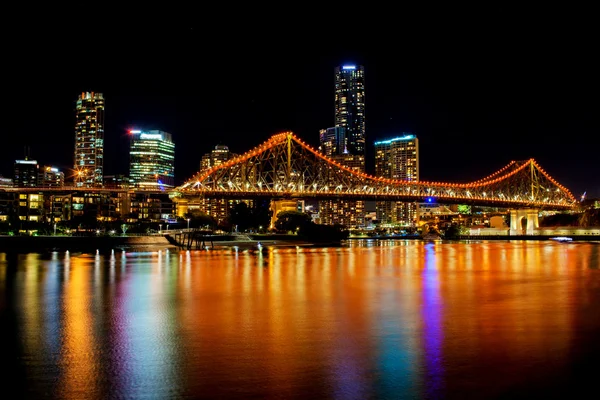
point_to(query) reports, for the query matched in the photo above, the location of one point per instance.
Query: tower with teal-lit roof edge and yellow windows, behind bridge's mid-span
(397, 158)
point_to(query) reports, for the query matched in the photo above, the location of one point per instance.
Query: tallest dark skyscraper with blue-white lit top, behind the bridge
(350, 105)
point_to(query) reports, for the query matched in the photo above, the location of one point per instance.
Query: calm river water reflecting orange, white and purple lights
(396, 319)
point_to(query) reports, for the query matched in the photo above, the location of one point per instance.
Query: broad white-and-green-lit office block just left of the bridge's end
(152, 160)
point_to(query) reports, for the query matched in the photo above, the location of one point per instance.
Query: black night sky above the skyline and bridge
(477, 97)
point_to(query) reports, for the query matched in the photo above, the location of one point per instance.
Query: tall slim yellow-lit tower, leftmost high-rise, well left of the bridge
(89, 140)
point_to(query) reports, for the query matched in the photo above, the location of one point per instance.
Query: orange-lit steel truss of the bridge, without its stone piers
(285, 167)
